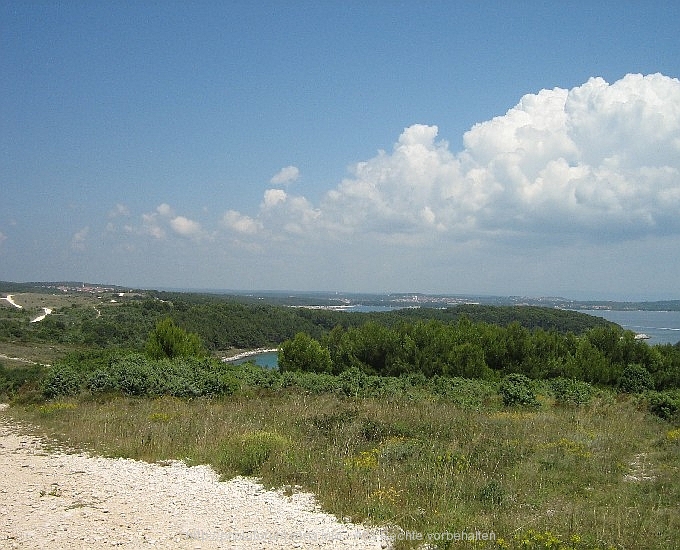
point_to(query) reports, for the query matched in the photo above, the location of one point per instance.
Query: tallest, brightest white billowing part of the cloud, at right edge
(598, 158)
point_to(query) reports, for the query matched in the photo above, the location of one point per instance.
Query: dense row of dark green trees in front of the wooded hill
(477, 349)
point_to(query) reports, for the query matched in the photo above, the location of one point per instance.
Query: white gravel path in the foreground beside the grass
(53, 500)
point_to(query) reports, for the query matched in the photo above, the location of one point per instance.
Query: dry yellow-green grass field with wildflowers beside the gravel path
(602, 475)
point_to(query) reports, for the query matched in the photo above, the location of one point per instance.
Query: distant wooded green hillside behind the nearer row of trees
(225, 322)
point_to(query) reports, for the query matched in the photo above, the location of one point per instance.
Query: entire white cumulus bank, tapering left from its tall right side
(599, 161)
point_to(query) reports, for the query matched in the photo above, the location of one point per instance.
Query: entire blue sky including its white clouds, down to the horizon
(525, 148)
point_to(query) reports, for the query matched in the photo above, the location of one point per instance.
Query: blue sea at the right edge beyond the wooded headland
(663, 327)
